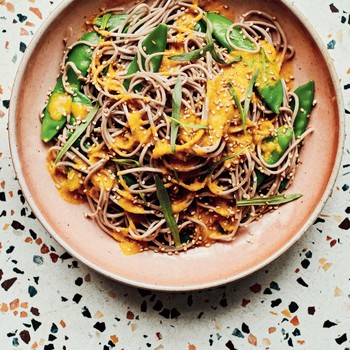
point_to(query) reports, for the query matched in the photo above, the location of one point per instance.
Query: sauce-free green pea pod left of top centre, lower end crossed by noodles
(154, 42)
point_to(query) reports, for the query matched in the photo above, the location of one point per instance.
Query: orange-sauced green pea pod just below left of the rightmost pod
(279, 144)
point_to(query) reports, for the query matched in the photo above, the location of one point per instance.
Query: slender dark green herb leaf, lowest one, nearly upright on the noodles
(167, 210)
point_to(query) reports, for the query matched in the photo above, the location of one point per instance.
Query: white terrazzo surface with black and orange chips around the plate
(48, 300)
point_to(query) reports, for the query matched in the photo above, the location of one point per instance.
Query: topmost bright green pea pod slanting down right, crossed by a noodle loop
(221, 25)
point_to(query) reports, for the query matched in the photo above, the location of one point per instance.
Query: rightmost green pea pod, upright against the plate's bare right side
(306, 95)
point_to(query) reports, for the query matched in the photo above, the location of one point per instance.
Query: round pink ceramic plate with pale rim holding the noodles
(255, 246)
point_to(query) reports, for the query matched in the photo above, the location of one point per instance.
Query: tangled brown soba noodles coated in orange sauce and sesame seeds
(128, 141)
